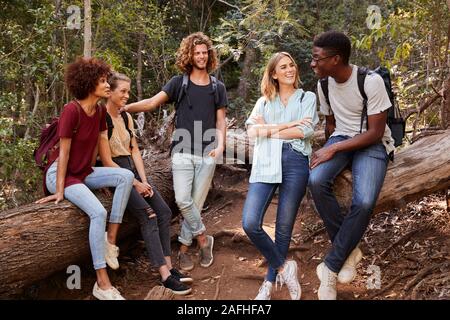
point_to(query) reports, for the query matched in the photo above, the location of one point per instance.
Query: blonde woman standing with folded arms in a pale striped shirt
(282, 122)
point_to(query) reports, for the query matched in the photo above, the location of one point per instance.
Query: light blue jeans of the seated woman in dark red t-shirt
(81, 196)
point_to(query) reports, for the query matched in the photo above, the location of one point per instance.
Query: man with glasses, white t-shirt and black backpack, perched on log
(354, 139)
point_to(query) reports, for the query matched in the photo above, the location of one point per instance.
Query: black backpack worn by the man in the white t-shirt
(395, 120)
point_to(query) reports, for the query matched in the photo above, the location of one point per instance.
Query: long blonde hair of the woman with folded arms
(269, 85)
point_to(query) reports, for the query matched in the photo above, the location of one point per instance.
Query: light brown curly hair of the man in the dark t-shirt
(186, 50)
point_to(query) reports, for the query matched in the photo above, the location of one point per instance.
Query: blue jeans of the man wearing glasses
(368, 170)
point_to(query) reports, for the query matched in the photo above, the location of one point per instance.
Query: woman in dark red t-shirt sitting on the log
(71, 174)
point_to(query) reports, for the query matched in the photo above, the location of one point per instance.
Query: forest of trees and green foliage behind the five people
(140, 38)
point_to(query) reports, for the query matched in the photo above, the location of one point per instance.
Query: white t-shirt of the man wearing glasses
(347, 104)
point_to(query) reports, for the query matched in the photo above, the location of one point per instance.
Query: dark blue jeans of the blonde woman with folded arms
(295, 173)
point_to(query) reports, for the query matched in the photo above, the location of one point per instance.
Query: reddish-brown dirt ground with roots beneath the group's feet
(406, 254)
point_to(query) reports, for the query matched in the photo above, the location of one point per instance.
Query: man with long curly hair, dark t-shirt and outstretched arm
(199, 138)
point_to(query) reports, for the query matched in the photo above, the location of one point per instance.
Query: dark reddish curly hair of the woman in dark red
(82, 76)
